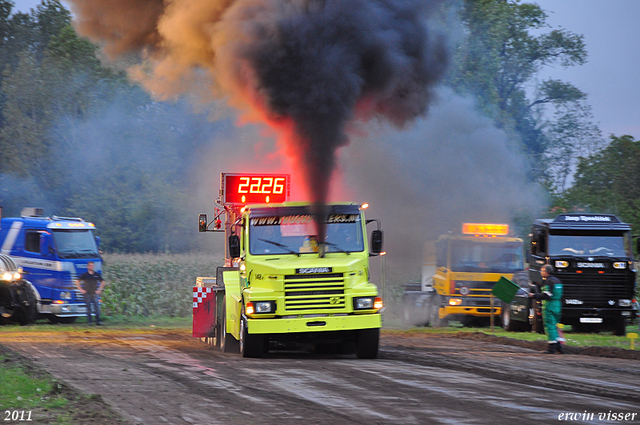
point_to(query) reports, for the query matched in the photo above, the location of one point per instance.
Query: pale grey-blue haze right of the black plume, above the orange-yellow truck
(452, 167)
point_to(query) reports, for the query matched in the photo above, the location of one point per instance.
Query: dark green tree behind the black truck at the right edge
(609, 181)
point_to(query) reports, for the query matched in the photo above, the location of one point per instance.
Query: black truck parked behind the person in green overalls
(592, 256)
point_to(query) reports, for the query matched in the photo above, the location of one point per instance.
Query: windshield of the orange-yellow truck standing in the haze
(470, 256)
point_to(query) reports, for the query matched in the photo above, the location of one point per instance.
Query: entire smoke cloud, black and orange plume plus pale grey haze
(320, 75)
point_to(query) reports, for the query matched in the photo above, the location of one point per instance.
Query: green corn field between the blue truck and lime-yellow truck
(153, 284)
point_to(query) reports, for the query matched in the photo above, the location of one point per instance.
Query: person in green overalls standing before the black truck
(551, 297)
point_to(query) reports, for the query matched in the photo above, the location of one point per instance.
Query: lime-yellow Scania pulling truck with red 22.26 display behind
(280, 285)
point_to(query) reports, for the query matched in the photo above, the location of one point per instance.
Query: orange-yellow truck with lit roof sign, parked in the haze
(458, 274)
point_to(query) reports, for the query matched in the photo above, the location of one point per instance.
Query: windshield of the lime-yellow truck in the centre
(296, 234)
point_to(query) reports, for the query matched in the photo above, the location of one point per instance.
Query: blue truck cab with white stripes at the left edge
(53, 252)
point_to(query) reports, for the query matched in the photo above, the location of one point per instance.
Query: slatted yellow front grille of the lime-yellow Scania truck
(314, 292)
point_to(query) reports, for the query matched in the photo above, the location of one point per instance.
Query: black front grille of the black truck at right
(594, 290)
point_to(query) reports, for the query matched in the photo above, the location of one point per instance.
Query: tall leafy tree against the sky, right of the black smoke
(504, 50)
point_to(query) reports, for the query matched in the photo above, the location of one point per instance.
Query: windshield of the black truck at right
(573, 245)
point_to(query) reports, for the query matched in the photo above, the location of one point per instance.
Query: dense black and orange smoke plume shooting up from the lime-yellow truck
(303, 67)
